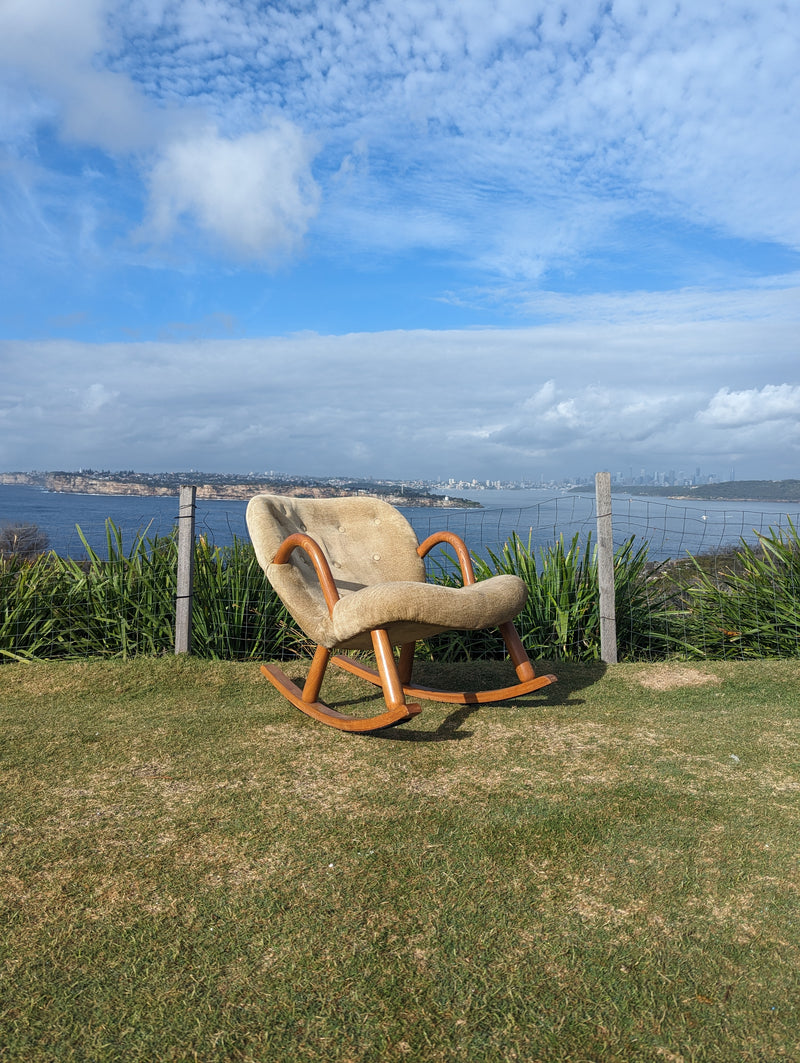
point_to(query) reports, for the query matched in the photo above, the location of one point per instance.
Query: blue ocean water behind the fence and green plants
(672, 528)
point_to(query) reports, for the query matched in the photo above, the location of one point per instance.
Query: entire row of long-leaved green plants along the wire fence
(124, 604)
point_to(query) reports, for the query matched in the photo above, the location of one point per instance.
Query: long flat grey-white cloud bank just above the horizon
(489, 403)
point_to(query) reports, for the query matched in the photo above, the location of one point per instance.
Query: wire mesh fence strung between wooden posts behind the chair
(693, 580)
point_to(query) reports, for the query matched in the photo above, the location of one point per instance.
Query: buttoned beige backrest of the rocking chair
(366, 542)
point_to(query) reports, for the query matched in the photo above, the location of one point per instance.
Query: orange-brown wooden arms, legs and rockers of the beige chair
(393, 676)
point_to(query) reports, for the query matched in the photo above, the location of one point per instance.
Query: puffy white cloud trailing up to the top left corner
(252, 191)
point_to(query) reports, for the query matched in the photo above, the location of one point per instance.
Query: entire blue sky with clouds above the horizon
(464, 239)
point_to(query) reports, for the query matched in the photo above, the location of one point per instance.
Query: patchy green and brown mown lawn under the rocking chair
(603, 871)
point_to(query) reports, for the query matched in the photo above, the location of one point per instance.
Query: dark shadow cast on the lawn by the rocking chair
(572, 679)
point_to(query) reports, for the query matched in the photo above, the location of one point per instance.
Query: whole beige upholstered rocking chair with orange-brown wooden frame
(351, 573)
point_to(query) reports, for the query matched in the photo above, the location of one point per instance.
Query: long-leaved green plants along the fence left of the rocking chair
(124, 604)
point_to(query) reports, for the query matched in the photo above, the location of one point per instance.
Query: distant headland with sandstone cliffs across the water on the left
(229, 487)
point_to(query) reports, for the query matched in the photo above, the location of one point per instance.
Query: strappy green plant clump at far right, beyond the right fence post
(747, 611)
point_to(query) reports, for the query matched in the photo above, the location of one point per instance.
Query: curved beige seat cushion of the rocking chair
(431, 606)
